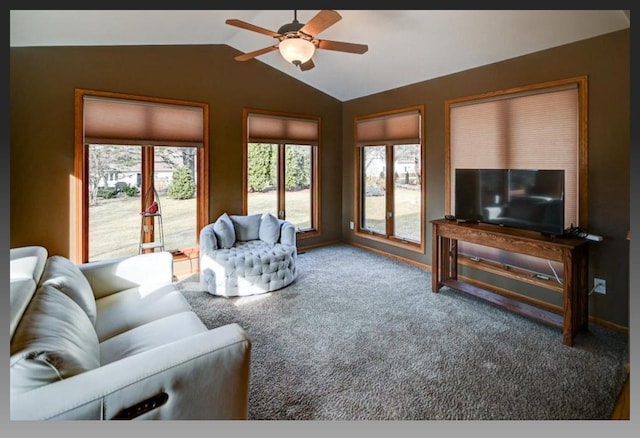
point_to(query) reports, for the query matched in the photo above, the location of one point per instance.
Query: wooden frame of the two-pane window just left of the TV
(388, 237)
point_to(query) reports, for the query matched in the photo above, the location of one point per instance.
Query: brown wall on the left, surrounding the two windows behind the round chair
(42, 85)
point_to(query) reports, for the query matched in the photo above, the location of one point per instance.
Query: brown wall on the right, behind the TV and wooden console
(606, 62)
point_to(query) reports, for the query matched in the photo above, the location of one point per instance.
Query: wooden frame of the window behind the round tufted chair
(315, 228)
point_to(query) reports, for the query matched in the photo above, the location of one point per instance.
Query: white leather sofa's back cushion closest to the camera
(54, 340)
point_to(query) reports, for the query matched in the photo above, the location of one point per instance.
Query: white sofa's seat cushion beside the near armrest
(151, 335)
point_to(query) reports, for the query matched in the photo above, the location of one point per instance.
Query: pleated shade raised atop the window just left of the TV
(398, 128)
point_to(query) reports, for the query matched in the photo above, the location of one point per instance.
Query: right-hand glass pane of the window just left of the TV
(407, 191)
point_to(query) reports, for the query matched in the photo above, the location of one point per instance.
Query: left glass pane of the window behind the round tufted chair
(262, 184)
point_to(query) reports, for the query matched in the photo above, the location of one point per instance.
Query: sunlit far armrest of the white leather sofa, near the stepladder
(113, 275)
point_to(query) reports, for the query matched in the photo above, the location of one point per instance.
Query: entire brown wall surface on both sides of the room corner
(43, 80)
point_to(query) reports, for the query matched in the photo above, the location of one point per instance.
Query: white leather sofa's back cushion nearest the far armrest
(62, 274)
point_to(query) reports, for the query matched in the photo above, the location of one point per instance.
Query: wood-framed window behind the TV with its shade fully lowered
(536, 127)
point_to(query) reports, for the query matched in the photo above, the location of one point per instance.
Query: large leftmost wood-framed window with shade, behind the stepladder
(131, 151)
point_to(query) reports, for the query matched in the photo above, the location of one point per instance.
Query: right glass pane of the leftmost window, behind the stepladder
(175, 179)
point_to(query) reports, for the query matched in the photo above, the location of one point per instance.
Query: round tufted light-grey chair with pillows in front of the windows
(247, 255)
